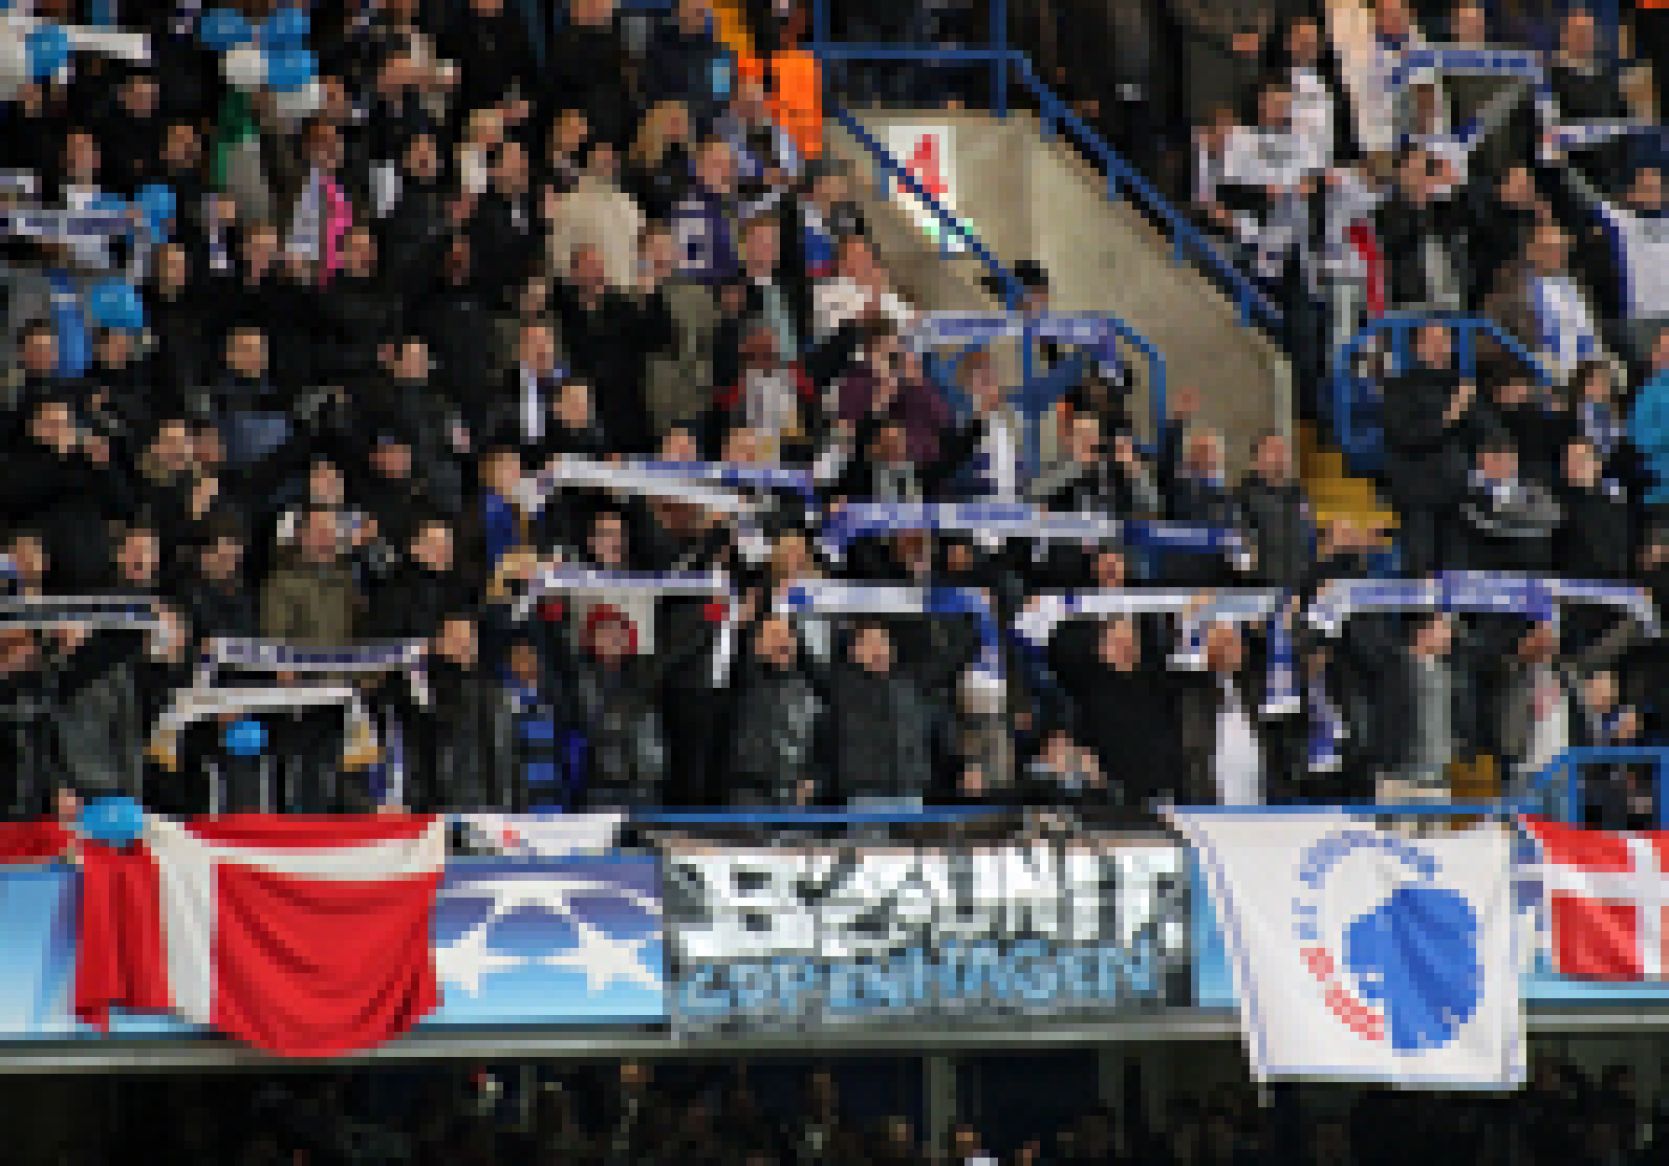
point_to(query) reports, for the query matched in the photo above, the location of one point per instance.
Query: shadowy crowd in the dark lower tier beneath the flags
(735, 1115)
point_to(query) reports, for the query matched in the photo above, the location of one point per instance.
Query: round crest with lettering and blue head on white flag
(1403, 968)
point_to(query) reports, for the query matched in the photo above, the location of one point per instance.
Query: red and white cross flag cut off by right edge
(1606, 897)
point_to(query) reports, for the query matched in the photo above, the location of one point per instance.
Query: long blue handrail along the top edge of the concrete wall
(1122, 179)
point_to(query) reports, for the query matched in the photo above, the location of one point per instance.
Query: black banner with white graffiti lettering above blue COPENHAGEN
(847, 935)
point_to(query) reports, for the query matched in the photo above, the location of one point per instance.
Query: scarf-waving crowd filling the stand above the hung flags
(406, 348)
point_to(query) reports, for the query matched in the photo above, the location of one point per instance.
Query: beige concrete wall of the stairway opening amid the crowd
(1036, 199)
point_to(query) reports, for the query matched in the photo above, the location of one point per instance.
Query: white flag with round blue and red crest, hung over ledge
(1361, 955)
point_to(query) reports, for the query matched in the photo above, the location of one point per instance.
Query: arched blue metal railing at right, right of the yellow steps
(1356, 398)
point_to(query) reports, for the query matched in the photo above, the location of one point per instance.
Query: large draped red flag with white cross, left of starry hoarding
(305, 937)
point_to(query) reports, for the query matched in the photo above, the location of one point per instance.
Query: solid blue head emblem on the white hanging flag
(1418, 958)
